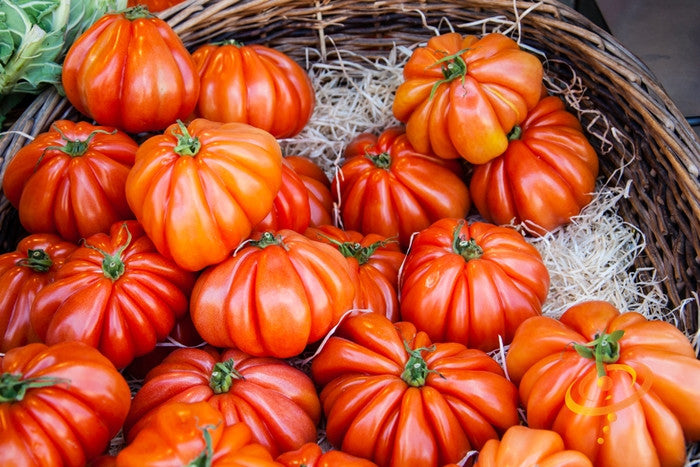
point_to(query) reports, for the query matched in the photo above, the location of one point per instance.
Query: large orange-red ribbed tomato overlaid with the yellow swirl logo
(616, 386)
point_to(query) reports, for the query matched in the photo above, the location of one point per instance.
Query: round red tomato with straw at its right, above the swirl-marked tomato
(471, 283)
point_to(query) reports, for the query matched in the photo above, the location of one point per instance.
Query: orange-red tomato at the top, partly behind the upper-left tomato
(253, 84)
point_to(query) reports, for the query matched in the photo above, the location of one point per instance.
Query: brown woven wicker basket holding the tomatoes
(659, 149)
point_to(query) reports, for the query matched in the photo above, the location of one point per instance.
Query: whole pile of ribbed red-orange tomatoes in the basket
(170, 213)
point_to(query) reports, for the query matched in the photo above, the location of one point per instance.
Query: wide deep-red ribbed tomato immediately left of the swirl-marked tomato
(392, 396)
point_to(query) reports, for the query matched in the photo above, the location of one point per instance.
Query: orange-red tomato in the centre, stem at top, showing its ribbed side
(274, 297)
